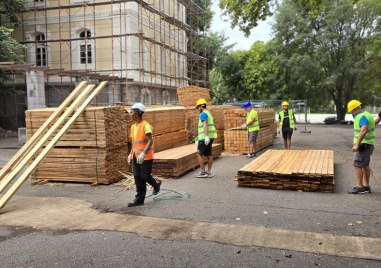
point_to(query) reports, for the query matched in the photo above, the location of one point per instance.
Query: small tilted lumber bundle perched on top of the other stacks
(189, 95)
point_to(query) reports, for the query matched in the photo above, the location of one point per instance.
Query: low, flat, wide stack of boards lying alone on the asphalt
(303, 170)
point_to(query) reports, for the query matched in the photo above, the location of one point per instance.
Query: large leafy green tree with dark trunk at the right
(324, 57)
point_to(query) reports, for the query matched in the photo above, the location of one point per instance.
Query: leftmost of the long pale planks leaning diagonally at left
(34, 139)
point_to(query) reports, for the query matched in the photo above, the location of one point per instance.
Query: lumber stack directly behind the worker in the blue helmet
(236, 140)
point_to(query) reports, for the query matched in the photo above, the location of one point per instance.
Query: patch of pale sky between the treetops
(260, 33)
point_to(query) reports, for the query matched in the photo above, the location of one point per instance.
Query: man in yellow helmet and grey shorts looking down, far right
(363, 145)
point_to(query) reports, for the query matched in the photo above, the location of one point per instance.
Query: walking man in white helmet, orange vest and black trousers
(141, 155)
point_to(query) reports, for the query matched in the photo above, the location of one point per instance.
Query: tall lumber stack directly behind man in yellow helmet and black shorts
(218, 113)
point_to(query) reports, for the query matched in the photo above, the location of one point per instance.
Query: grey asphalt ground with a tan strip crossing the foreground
(34, 238)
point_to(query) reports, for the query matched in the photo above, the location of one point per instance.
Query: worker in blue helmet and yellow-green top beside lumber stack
(252, 126)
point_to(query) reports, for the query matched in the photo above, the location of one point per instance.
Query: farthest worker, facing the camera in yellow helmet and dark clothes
(286, 123)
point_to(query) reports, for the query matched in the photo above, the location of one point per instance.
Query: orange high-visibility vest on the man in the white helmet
(140, 141)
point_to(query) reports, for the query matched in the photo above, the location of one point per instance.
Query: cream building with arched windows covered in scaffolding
(146, 49)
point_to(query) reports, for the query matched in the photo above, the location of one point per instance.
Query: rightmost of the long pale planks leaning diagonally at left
(12, 190)
